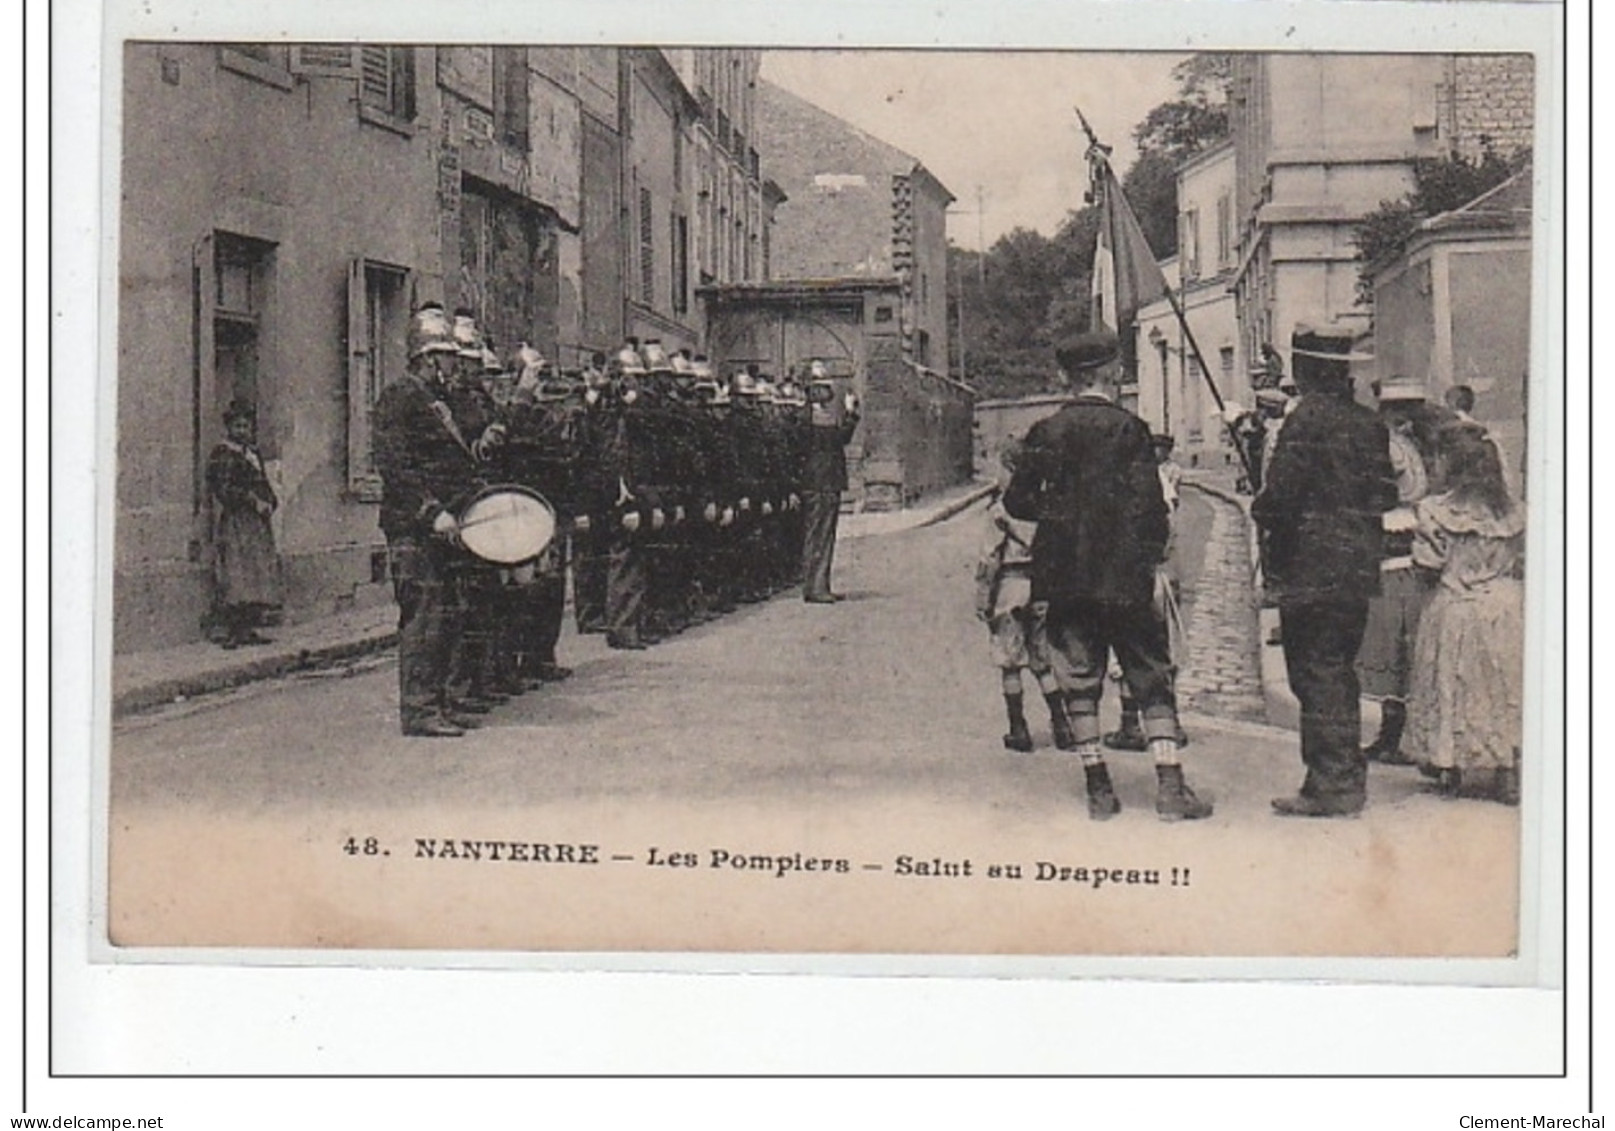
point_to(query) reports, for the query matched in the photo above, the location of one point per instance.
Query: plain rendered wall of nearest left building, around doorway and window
(288, 161)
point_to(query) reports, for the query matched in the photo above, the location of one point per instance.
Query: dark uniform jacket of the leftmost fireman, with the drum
(424, 458)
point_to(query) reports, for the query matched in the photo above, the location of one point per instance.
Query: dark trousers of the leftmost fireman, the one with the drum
(430, 620)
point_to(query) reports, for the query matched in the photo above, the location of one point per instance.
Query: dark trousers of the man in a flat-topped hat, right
(1320, 655)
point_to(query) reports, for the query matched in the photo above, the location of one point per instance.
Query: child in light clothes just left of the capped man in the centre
(1004, 603)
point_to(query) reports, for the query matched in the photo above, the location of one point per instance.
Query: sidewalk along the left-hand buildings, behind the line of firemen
(149, 679)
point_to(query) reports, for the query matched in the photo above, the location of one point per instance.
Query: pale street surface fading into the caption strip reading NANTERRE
(831, 741)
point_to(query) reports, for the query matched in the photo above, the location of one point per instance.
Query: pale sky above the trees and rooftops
(994, 120)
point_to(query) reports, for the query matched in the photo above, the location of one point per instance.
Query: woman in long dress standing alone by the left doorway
(246, 568)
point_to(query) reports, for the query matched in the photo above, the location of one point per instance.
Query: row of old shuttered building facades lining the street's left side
(283, 208)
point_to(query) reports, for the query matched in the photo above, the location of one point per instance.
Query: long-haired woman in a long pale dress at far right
(1466, 702)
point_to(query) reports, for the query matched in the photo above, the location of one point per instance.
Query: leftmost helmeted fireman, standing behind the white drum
(429, 471)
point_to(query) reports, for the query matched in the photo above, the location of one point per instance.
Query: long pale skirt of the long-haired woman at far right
(1467, 699)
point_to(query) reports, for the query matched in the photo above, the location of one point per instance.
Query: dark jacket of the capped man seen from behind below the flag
(1088, 477)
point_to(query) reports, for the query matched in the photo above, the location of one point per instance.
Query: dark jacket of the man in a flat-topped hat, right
(1322, 502)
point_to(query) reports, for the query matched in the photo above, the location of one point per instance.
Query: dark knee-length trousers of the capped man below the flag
(1081, 637)
